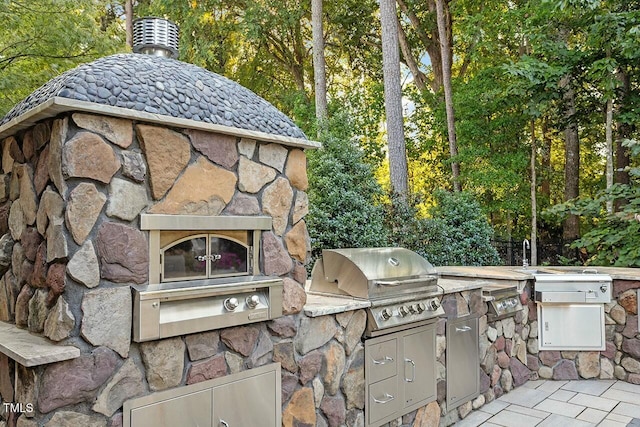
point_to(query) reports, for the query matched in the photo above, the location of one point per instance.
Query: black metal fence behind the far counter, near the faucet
(549, 253)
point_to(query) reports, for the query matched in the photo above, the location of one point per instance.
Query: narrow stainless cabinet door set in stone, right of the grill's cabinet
(462, 361)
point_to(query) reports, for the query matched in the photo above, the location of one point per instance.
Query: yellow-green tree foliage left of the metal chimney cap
(42, 39)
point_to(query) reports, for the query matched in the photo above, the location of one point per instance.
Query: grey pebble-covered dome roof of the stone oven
(160, 85)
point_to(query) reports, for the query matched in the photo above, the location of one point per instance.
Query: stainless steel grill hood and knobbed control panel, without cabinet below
(400, 284)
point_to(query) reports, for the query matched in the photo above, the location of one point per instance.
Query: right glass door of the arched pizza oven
(228, 257)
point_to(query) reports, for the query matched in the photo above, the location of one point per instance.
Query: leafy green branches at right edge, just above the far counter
(612, 238)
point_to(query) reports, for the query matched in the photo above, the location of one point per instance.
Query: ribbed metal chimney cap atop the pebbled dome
(155, 36)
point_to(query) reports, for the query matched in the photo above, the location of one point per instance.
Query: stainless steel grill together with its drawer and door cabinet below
(402, 287)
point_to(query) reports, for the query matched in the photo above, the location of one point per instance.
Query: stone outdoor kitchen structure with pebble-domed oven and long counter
(99, 160)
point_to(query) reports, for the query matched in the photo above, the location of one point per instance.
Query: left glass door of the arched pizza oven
(185, 259)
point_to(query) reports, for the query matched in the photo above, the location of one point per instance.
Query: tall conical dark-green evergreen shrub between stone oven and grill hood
(343, 195)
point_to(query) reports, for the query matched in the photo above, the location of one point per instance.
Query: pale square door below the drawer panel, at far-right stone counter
(571, 327)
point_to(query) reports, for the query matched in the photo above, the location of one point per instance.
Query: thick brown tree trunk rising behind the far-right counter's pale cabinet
(571, 226)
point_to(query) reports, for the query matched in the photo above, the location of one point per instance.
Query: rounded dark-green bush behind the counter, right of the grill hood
(457, 233)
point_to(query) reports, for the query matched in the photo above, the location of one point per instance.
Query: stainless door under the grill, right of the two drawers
(419, 363)
